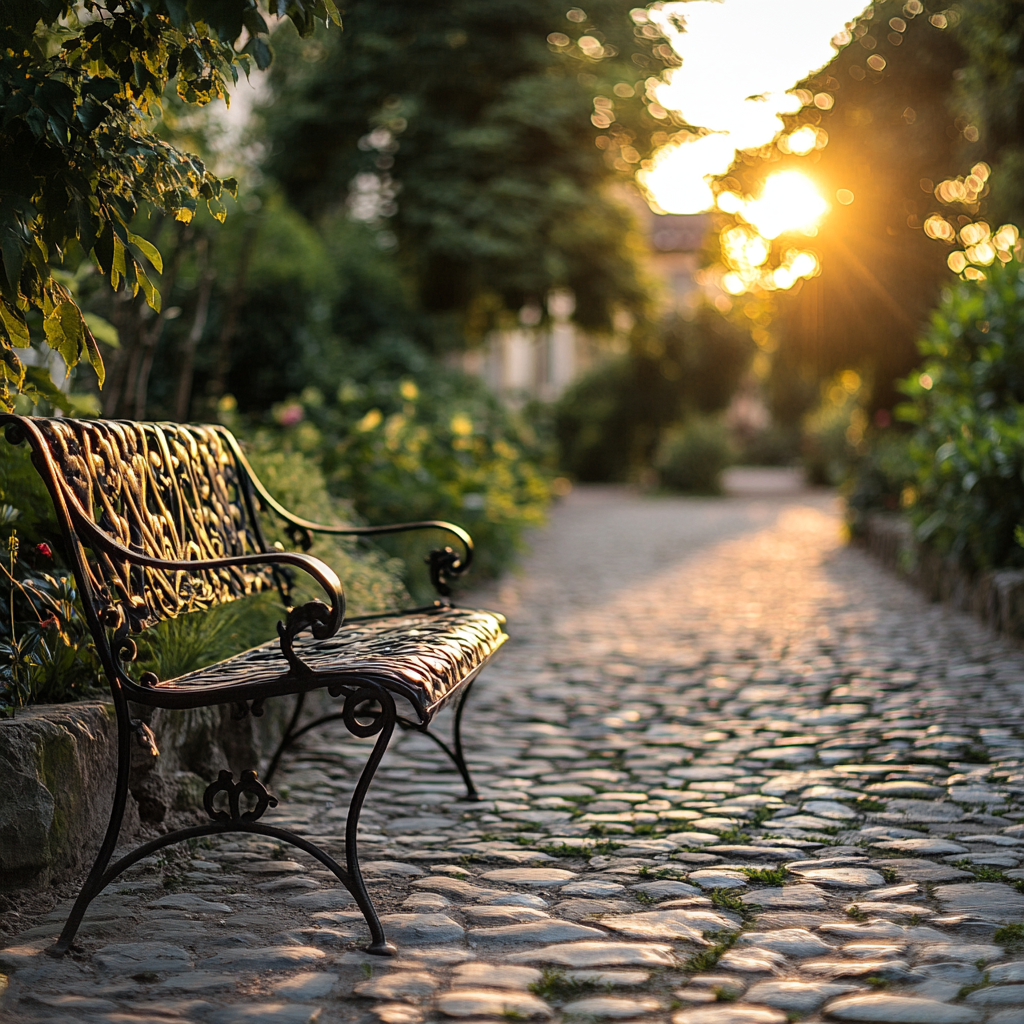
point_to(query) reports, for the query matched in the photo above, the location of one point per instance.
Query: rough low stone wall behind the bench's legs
(59, 766)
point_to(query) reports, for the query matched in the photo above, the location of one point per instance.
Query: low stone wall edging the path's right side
(997, 598)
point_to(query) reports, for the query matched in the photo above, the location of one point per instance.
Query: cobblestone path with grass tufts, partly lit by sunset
(735, 775)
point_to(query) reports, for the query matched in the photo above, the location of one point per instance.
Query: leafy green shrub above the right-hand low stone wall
(968, 408)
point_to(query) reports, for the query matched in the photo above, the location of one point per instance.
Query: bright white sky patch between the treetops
(733, 52)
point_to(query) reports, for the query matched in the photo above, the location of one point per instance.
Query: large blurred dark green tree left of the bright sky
(484, 140)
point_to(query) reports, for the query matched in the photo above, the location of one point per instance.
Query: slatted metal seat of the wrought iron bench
(422, 657)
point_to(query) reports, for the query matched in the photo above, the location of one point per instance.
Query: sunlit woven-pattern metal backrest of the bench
(169, 491)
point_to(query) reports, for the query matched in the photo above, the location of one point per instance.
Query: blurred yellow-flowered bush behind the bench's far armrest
(444, 449)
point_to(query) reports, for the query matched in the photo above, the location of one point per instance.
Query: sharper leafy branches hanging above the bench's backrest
(80, 87)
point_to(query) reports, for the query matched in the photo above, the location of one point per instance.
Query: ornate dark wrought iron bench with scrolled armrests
(163, 519)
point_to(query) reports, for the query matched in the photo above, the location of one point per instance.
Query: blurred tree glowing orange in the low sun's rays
(884, 136)
